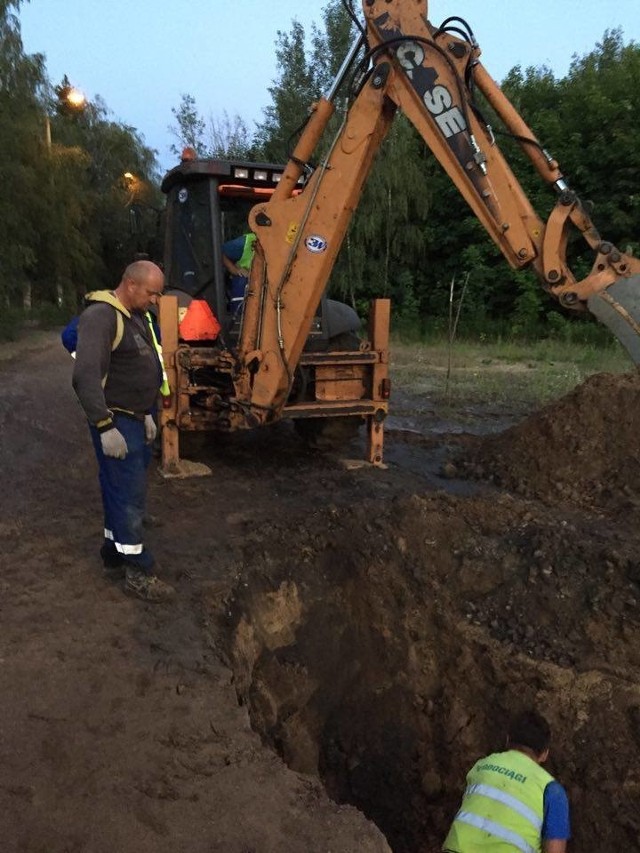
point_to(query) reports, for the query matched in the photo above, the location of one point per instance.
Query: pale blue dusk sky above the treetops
(140, 56)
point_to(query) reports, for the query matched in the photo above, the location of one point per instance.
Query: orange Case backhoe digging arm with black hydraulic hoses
(430, 74)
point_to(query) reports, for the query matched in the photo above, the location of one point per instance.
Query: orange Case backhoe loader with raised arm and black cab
(282, 358)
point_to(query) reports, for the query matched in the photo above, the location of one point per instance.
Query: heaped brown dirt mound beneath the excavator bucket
(584, 448)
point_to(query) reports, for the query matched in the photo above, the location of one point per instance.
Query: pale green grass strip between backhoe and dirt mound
(505, 373)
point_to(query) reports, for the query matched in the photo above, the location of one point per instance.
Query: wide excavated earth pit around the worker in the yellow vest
(383, 647)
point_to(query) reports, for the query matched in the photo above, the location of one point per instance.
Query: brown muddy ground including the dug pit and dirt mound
(344, 643)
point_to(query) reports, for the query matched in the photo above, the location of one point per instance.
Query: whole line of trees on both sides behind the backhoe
(70, 219)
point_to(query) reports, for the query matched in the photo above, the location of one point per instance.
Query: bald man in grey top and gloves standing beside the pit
(117, 376)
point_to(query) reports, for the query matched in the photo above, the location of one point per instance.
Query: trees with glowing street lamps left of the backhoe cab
(69, 218)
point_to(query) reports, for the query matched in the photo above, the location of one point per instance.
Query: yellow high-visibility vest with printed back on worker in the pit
(503, 806)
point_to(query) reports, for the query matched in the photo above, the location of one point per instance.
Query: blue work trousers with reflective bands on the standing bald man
(123, 483)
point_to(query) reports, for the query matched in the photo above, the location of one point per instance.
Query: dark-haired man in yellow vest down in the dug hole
(512, 805)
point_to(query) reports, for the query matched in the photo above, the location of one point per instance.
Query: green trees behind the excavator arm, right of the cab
(412, 233)
